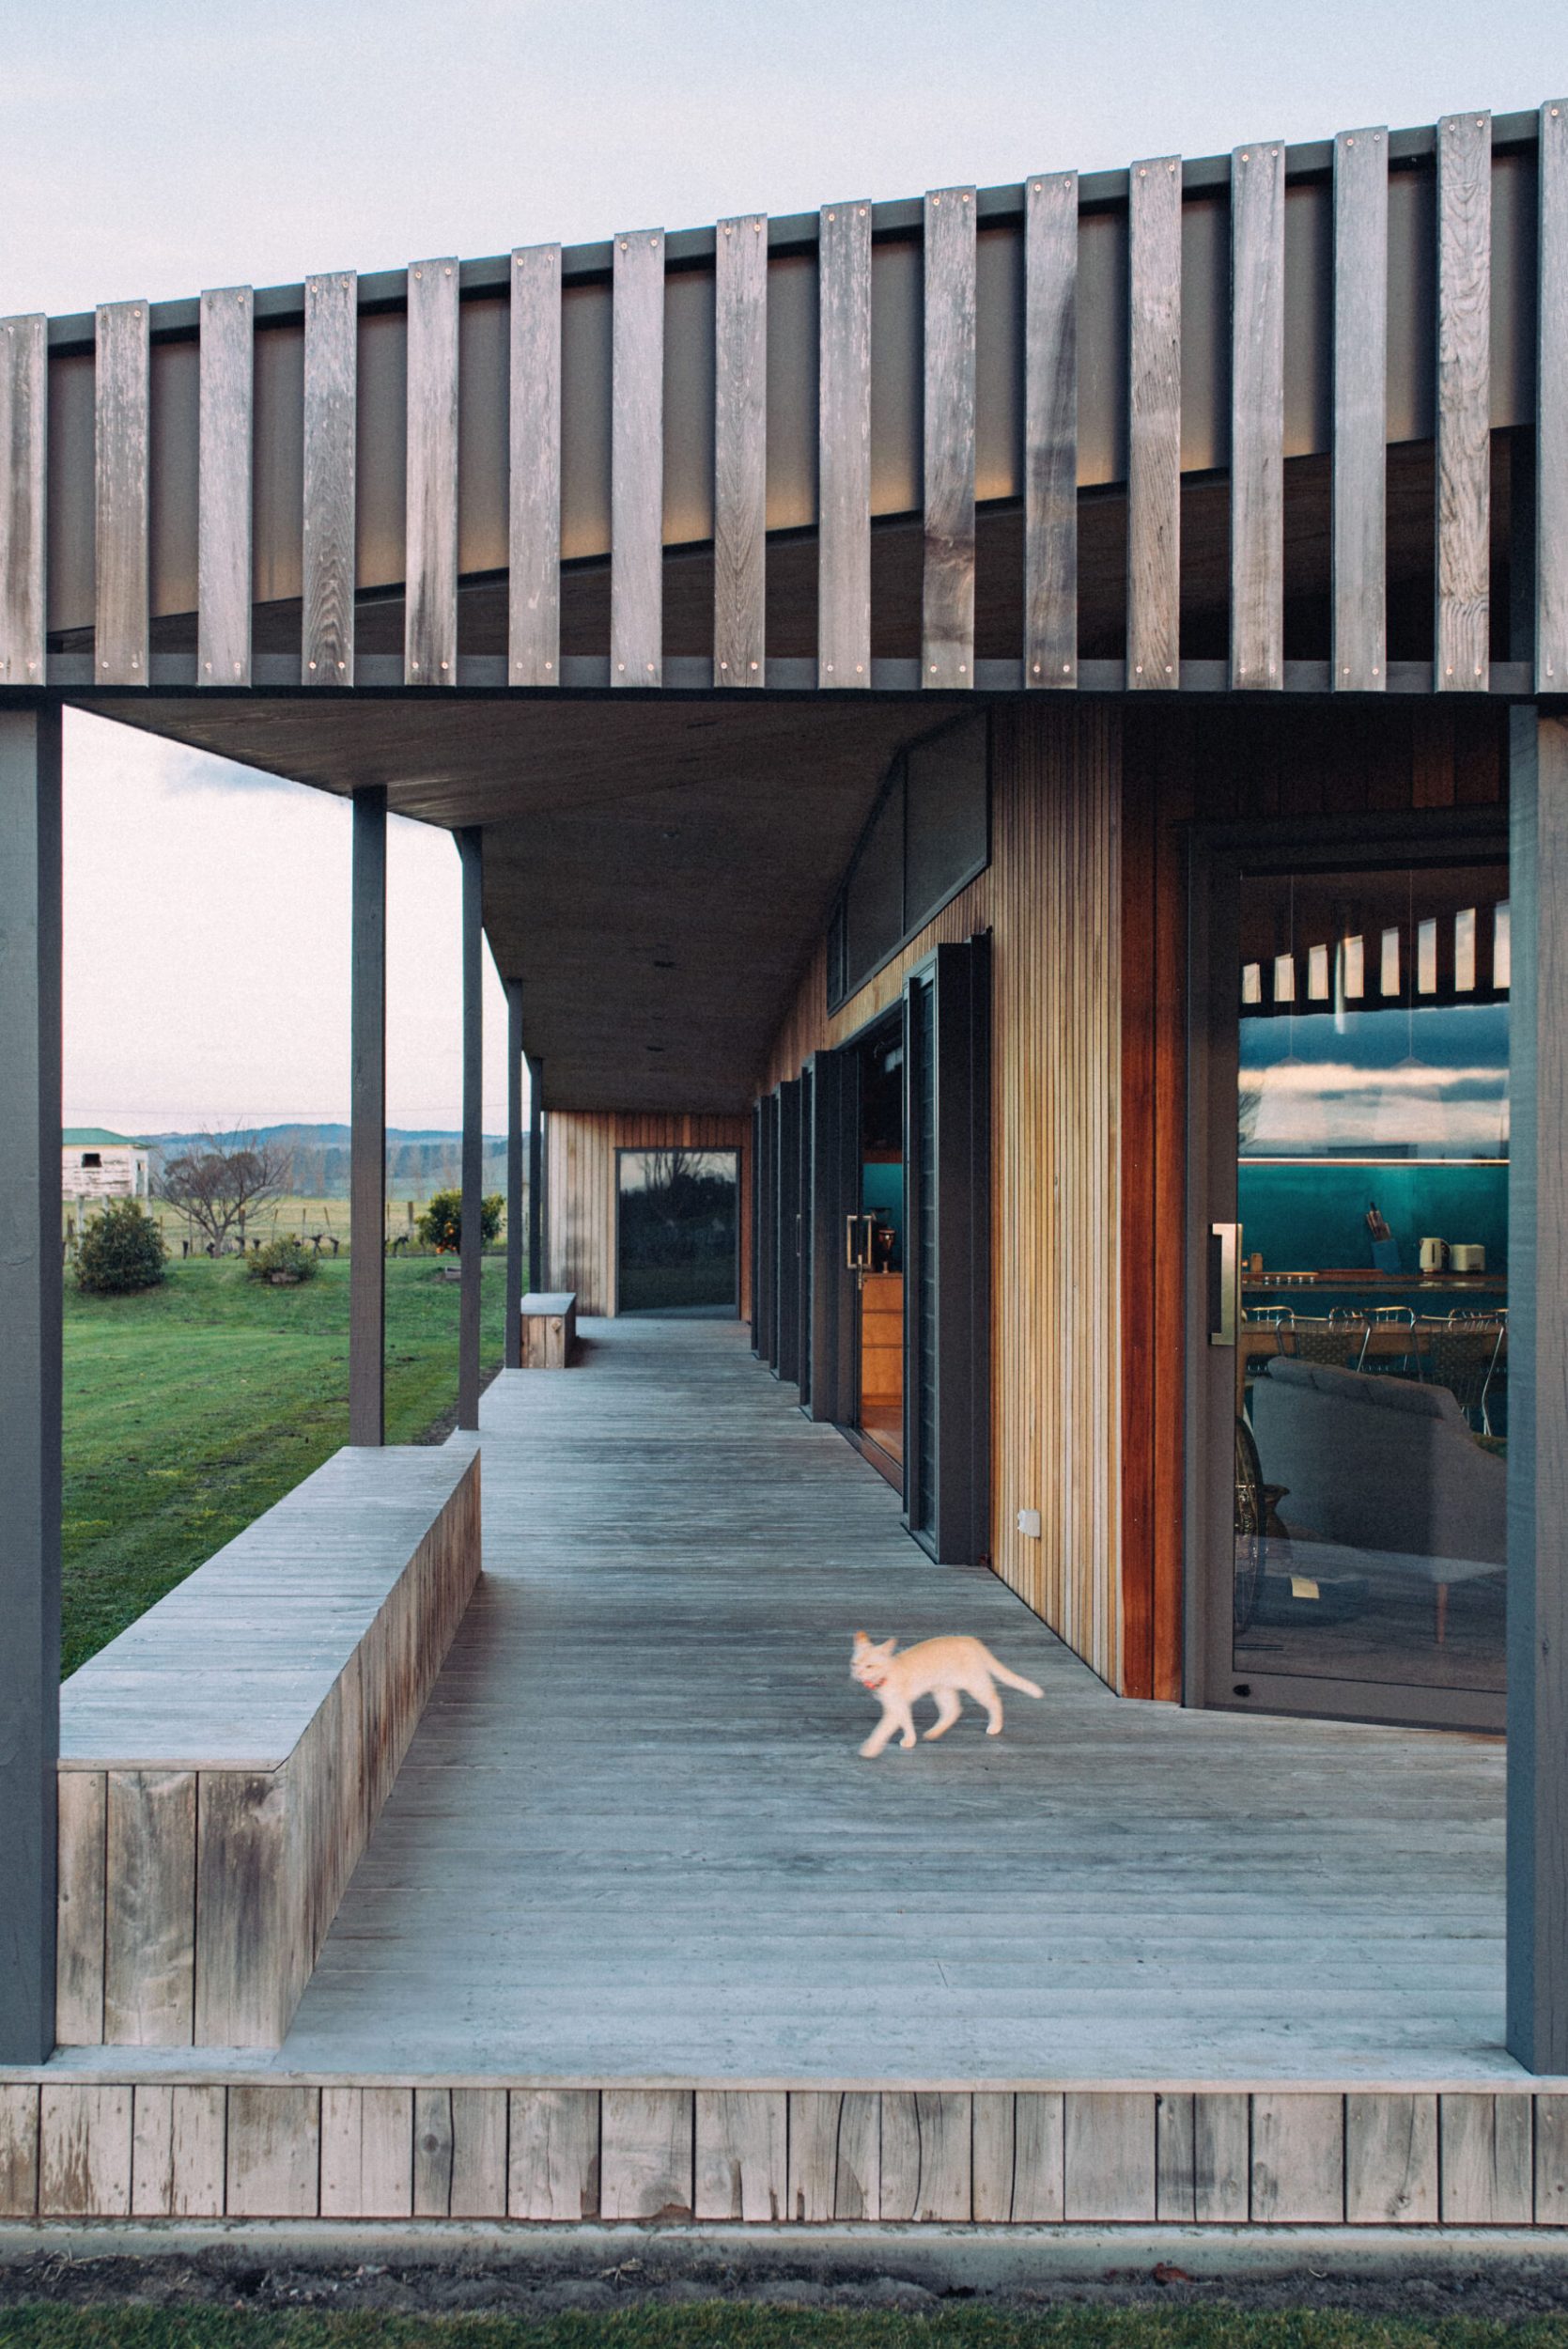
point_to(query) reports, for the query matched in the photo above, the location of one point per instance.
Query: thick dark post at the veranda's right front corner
(1539, 1401)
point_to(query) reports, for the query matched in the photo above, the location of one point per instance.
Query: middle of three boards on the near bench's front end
(149, 1967)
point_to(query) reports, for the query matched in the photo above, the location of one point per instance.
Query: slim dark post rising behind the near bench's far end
(367, 1223)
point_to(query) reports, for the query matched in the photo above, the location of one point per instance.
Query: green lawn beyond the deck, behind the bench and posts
(196, 1406)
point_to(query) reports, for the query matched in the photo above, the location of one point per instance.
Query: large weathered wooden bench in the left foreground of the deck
(227, 1758)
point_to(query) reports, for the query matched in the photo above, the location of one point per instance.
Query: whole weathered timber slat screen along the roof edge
(926, 370)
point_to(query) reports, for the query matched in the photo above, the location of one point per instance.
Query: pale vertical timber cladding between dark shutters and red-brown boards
(1053, 901)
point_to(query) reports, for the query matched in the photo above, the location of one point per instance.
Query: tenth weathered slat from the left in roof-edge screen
(947, 598)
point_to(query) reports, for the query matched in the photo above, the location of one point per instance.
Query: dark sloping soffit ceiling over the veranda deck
(621, 835)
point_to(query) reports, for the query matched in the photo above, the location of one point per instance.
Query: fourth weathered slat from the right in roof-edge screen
(1257, 417)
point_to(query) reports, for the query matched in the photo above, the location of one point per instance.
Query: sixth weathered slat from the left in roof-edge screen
(534, 438)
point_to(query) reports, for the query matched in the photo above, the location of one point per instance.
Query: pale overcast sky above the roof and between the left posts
(154, 149)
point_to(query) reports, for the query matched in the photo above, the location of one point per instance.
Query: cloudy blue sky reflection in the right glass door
(1403, 1084)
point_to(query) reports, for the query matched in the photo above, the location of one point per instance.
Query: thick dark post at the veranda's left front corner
(29, 1371)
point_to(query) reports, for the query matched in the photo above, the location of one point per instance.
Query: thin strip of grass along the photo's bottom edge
(726, 2324)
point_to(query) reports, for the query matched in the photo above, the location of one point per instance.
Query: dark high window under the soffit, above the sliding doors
(926, 840)
